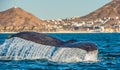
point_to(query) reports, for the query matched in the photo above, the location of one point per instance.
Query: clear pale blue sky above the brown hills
(55, 9)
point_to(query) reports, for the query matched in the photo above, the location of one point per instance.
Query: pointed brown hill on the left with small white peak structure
(16, 19)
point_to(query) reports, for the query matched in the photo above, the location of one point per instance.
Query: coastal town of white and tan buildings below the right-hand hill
(106, 24)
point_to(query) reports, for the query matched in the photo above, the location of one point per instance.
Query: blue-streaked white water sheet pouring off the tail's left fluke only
(22, 49)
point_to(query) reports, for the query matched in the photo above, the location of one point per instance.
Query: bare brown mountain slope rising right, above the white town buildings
(111, 9)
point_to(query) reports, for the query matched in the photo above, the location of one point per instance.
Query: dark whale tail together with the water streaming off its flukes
(32, 45)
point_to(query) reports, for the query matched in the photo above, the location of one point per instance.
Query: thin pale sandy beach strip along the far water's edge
(58, 32)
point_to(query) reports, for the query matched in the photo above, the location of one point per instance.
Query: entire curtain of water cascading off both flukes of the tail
(18, 48)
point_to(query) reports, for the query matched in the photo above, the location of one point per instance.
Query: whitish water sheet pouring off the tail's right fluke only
(69, 55)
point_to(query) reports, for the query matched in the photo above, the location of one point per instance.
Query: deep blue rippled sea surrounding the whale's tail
(109, 54)
